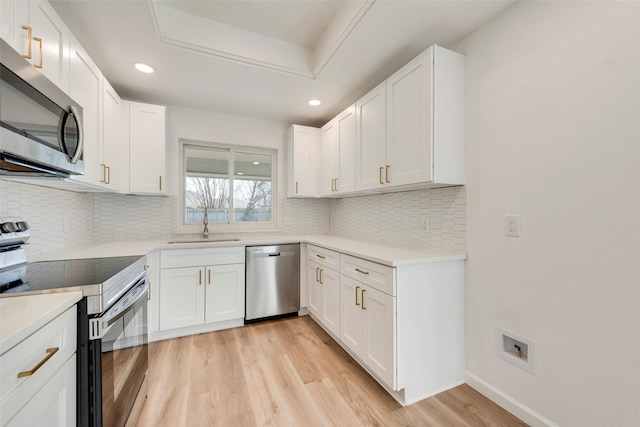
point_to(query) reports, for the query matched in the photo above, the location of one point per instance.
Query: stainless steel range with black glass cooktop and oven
(112, 342)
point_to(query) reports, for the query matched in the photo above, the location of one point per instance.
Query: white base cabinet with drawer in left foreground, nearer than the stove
(39, 376)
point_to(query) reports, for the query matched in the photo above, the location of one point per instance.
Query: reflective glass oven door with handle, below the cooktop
(124, 354)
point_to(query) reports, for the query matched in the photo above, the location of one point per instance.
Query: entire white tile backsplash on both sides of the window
(64, 219)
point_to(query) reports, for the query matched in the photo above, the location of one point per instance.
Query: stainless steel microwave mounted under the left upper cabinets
(40, 125)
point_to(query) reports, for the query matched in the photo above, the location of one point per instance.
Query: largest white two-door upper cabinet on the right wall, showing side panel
(410, 128)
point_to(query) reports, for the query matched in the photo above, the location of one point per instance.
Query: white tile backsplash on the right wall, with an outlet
(396, 218)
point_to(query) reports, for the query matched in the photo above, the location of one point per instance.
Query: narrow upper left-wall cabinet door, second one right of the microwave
(112, 143)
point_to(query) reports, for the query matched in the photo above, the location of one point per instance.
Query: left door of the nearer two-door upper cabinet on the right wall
(371, 139)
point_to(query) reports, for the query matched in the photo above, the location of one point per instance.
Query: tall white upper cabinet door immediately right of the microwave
(86, 89)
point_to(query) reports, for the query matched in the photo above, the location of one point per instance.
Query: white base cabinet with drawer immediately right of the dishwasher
(323, 281)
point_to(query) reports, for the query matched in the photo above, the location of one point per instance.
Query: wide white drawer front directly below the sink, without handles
(175, 258)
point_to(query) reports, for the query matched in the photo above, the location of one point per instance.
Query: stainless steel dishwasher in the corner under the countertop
(272, 281)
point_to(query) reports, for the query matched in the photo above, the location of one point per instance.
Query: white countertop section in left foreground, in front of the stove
(22, 316)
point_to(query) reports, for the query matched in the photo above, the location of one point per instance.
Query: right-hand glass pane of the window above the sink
(252, 187)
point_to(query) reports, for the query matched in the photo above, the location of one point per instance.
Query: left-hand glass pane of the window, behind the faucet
(206, 184)
